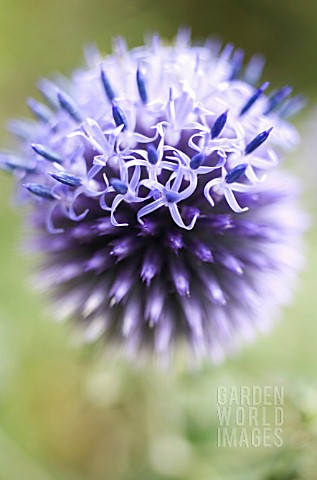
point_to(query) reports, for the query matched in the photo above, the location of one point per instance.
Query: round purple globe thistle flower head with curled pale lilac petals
(158, 197)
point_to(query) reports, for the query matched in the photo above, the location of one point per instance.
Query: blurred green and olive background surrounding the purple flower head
(68, 413)
